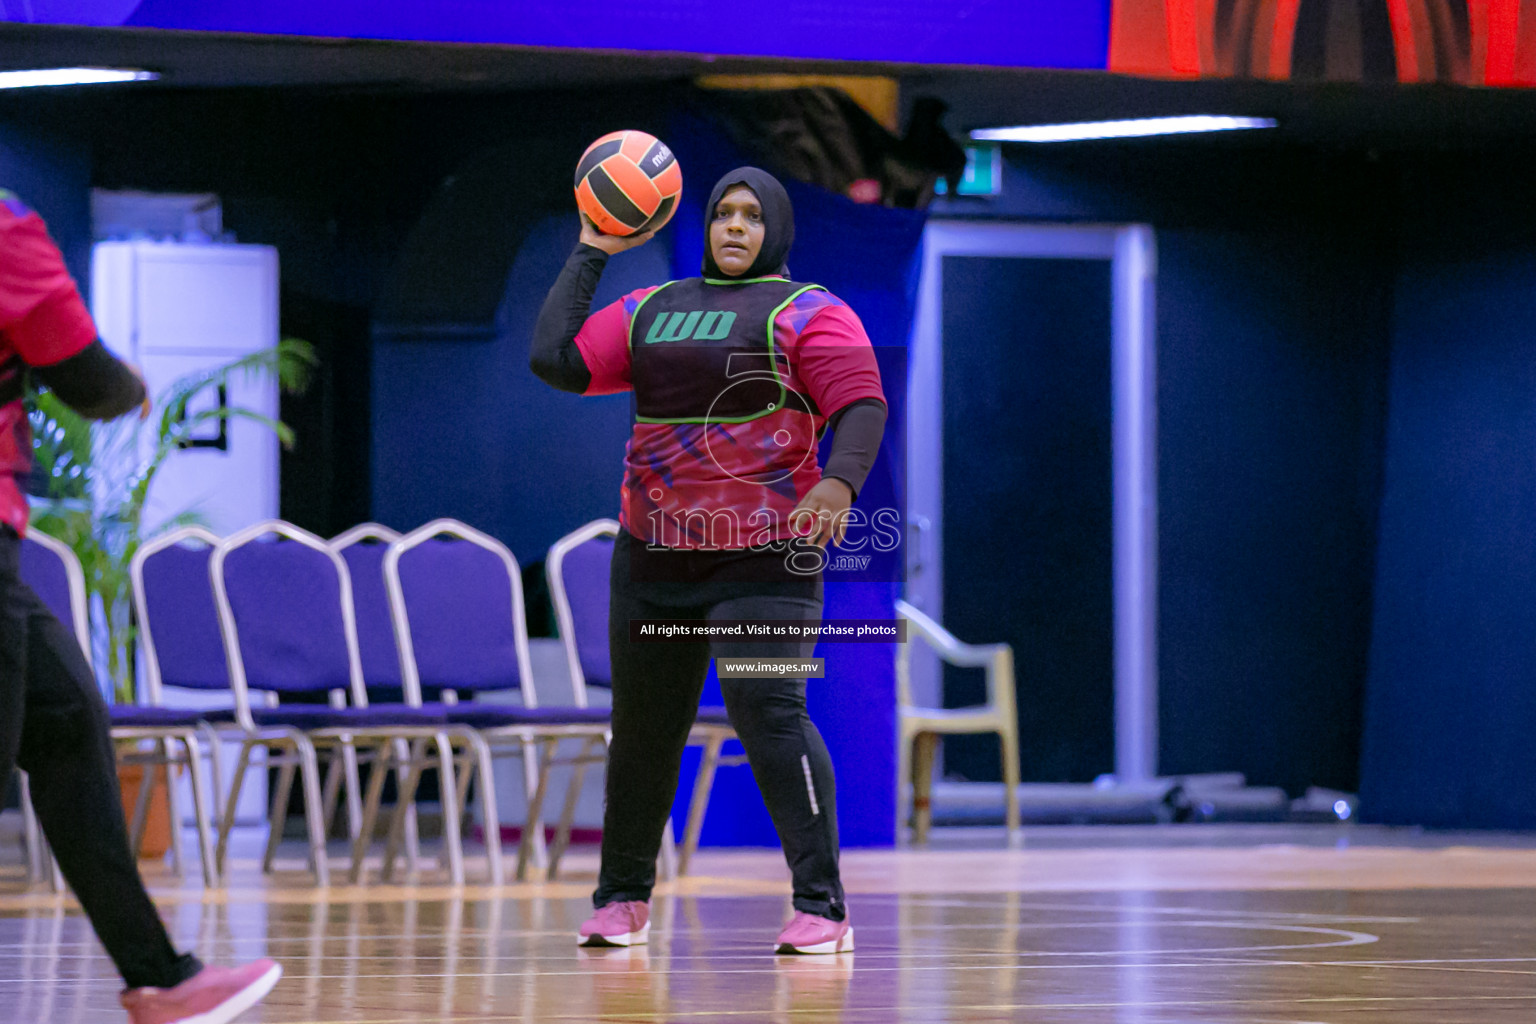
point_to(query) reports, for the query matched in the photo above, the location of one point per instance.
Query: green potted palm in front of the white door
(91, 483)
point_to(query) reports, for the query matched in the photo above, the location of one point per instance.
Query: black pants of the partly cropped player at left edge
(55, 725)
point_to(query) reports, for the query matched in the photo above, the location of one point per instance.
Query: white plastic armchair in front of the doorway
(921, 728)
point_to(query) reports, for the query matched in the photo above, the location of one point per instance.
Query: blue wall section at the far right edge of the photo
(1452, 712)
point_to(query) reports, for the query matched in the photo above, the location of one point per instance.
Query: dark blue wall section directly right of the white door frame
(1271, 363)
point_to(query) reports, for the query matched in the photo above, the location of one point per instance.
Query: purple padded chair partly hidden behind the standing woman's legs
(578, 569)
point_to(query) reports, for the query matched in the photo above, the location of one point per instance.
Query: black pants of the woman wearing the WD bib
(657, 690)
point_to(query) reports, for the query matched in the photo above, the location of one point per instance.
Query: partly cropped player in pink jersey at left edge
(53, 719)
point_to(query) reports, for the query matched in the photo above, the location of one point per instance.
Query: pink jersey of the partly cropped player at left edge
(42, 323)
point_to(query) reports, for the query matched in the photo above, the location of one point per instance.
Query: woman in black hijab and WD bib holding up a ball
(724, 515)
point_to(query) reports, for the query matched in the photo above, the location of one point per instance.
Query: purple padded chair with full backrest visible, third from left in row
(286, 613)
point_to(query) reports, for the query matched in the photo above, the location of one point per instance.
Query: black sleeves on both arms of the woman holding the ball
(557, 362)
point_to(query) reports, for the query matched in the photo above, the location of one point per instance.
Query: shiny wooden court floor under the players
(1128, 936)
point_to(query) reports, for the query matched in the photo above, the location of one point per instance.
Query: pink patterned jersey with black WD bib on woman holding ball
(733, 386)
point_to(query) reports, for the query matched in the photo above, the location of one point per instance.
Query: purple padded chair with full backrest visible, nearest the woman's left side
(457, 601)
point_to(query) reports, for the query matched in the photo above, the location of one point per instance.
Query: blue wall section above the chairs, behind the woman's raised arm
(508, 452)
